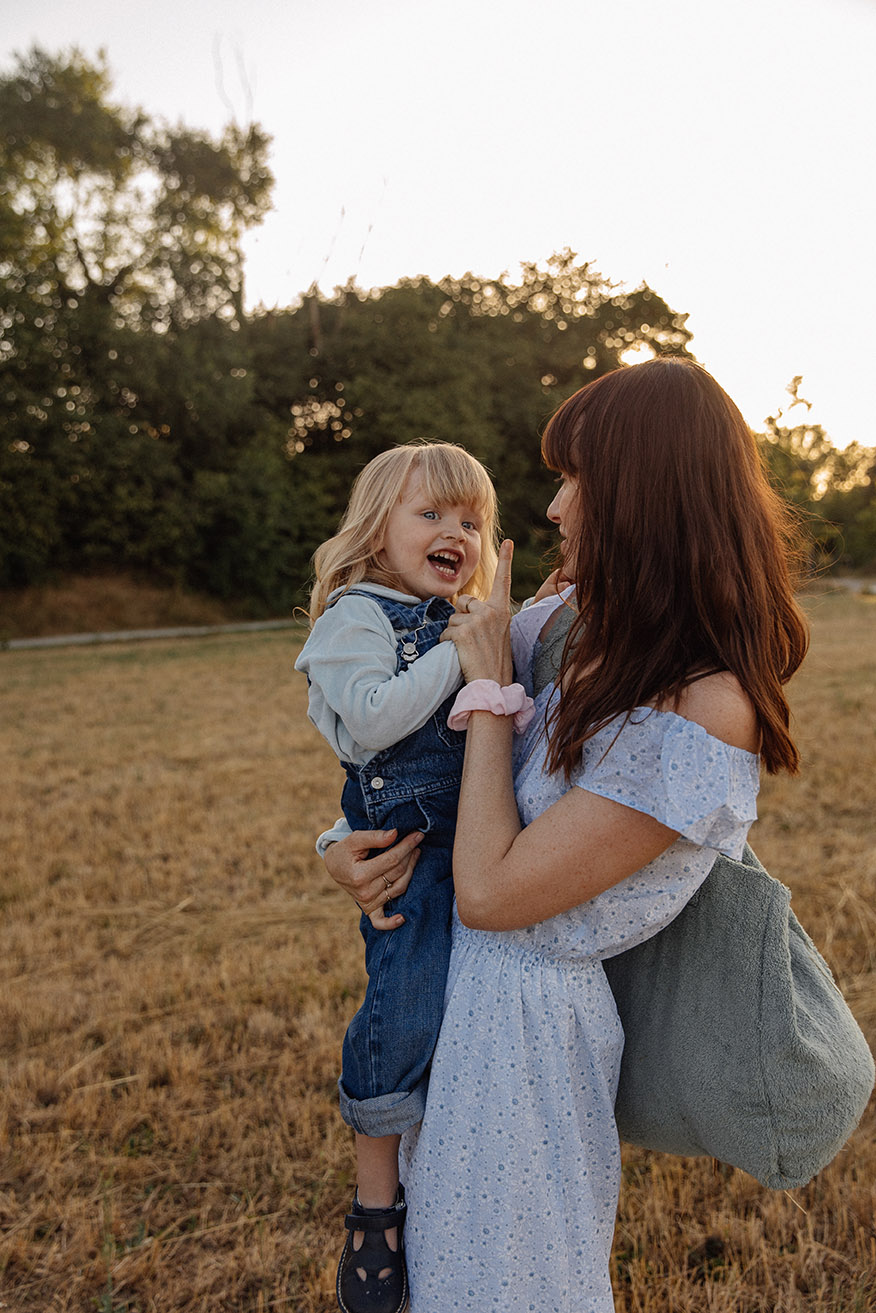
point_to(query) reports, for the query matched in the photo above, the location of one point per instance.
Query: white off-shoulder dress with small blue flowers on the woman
(513, 1177)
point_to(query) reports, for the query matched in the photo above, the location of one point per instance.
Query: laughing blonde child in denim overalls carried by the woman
(420, 530)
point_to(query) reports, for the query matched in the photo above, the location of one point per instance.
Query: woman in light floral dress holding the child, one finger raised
(640, 766)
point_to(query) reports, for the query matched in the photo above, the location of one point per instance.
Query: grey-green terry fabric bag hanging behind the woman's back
(739, 1044)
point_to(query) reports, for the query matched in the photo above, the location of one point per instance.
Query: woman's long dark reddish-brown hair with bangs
(685, 560)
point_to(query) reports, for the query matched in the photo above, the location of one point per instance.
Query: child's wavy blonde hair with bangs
(451, 477)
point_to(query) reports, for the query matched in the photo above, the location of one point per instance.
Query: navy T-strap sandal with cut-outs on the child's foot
(374, 1294)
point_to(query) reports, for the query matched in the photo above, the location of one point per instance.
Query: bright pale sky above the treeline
(720, 150)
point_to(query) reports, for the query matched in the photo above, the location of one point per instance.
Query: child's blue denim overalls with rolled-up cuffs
(412, 786)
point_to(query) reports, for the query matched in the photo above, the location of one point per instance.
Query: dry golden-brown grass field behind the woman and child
(178, 972)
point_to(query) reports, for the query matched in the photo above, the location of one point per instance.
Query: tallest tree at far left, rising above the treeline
(118, 238)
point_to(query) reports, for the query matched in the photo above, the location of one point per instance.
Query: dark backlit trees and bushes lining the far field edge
(148, 423)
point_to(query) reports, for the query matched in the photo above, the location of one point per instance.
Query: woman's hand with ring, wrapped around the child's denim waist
(372, 882)
